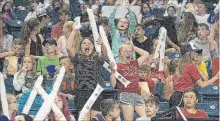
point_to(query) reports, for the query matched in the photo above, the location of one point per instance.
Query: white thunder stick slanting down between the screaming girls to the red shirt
(124, 81)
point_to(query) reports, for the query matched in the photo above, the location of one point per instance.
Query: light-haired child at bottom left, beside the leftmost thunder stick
(12, 105)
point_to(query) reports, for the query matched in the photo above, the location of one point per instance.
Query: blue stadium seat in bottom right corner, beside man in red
(212, 109)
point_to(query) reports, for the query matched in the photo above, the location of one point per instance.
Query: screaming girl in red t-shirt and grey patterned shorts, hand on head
(130, 97)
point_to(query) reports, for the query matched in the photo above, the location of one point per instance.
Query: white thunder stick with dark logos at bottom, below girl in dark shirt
(90, 102)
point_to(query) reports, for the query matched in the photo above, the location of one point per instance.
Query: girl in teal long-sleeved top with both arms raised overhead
(120, 33)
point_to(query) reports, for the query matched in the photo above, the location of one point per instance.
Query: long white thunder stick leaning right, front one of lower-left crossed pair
(46, 107)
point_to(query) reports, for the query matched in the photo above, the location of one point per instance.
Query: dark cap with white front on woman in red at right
(189, 47)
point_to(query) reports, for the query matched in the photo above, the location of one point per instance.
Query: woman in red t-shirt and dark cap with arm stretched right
(187, 75)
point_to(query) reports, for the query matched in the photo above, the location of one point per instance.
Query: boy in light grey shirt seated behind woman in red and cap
(202, 42)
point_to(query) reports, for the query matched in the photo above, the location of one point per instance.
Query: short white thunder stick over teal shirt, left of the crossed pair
(32, 96)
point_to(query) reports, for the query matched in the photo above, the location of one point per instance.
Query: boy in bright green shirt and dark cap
(50, 59)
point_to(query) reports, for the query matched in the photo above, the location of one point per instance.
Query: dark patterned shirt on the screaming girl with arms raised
(88, 71)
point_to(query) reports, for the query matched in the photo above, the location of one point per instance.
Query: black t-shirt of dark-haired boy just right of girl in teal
(146, 45)
